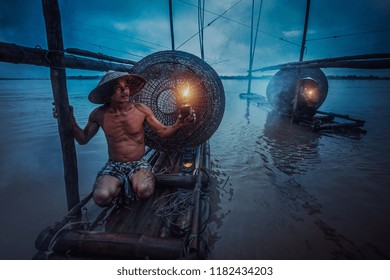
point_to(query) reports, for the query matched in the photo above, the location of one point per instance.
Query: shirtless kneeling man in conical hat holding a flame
(123, 124)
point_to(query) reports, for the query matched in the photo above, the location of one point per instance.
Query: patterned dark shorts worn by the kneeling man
(124, 171)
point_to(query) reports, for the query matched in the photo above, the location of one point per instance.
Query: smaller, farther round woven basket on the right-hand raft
(282, 87)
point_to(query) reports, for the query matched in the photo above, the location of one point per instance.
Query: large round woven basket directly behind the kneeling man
(168, 75)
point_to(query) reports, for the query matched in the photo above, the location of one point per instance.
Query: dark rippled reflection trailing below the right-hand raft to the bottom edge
(289, 151)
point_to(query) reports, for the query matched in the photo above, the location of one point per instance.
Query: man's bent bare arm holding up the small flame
(158, 127)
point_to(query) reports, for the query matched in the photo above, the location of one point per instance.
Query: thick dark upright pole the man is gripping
(52, 17)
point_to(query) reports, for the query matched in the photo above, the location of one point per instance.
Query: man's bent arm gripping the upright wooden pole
(82, 136)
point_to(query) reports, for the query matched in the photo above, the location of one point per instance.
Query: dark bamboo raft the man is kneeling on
(169, 225)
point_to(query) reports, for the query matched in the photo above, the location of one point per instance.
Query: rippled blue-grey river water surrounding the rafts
(279, 191)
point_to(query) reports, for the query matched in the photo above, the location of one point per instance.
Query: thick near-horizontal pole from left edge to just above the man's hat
(13, 53)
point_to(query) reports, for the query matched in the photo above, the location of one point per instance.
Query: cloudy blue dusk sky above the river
(133, 29)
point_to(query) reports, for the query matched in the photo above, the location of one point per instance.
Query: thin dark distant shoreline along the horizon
(223, 77)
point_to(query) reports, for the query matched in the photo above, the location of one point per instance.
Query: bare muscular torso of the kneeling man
(124, 131)
